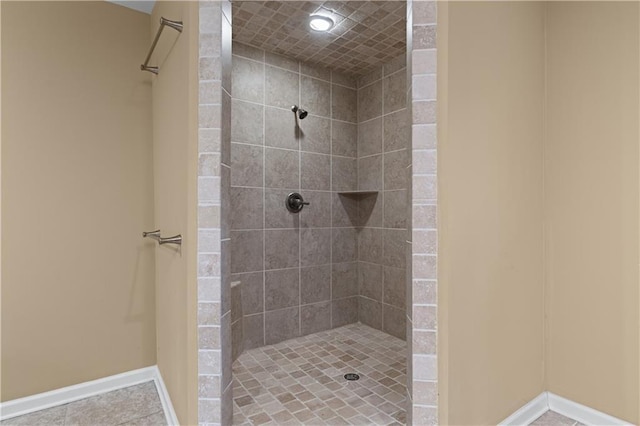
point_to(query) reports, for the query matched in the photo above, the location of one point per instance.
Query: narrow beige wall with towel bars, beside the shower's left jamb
(175, 158)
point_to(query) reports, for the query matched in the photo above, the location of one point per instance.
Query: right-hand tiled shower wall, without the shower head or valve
(383, 158)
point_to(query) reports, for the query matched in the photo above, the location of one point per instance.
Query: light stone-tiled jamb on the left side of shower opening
(215, 404)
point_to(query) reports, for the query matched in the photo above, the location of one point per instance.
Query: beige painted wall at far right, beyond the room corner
(591, 204)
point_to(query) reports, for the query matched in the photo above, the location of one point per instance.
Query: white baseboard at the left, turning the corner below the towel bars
(41, 401)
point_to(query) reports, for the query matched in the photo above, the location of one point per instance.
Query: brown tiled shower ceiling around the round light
(366, 33)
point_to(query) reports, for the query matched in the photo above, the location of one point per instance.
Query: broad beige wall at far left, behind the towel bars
(77, 190)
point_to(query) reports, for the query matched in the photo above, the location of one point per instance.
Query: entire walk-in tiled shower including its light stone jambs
(294, 284)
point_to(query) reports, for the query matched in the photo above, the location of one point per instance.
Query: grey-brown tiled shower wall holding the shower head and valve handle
(297, 272)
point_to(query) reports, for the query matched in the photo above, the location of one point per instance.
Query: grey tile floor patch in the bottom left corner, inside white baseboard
(137, 405)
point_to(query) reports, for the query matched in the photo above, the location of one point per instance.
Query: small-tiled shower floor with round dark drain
(300, 381)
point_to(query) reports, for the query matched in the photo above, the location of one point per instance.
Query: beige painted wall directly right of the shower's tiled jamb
(490, 209)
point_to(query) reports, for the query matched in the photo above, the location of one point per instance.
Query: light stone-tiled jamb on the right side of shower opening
(422, 314)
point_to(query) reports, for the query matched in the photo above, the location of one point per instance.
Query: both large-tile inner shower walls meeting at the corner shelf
(342, 259)
